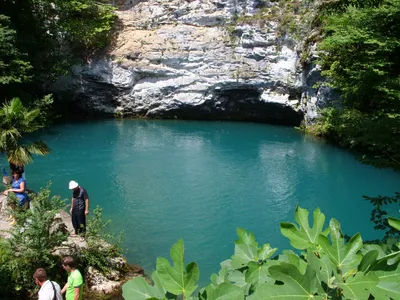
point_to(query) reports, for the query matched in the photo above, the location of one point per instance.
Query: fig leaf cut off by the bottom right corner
(388, 286)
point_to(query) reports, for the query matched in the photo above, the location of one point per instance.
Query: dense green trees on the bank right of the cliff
(359, 54)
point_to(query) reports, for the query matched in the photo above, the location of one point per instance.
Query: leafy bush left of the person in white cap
(32, 240)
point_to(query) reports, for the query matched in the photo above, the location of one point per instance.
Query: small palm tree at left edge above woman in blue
(16, 121)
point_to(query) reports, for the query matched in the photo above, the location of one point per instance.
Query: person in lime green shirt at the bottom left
(73, 289)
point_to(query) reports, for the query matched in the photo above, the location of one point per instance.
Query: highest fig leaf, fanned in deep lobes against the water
(304, 236)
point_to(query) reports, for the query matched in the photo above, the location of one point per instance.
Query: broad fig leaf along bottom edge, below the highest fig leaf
(295, 285)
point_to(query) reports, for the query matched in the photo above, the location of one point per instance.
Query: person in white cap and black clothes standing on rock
(79, 207)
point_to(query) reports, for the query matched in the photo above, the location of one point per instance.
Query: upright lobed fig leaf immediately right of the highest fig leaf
(345, 257)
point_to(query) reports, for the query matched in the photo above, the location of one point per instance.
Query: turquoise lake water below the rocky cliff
(164, 180)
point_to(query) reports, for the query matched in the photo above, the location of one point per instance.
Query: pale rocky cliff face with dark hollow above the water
(194, 59)
